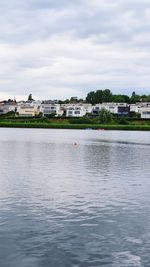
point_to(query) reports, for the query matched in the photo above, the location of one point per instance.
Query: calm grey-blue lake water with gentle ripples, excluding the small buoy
(66, 205)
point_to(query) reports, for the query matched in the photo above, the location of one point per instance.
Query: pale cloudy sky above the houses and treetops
(56, 49)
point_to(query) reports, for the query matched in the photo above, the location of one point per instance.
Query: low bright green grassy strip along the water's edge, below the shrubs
(67, 125)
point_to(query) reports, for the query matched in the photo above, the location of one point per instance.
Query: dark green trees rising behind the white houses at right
(100, 96)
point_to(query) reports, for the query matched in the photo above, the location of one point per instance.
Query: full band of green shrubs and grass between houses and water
(103, 121)
